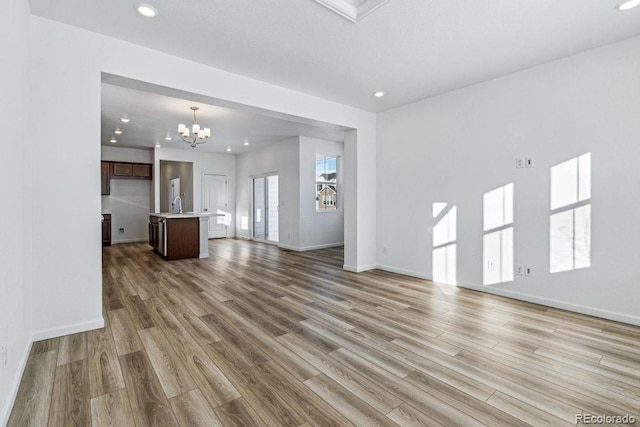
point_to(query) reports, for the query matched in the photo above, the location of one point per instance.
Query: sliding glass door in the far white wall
(265, 207)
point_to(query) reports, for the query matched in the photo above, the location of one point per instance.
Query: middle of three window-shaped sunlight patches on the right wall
(497, 243)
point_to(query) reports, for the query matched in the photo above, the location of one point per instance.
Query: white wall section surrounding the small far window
(325, 228)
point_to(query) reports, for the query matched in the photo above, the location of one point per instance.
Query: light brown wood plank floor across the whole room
(260, 336)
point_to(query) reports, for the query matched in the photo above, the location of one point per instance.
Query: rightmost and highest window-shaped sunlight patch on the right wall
(570, 220)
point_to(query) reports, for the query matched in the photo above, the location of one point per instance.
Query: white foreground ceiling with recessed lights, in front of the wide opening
(411, 49)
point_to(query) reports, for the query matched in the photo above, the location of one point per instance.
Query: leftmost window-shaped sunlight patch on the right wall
(443, 256)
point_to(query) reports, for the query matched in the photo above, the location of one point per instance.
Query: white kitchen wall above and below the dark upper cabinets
(130, 199)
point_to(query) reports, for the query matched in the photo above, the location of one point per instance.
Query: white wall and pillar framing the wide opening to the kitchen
(65, 72)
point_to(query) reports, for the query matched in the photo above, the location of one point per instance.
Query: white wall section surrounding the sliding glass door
(282, 158)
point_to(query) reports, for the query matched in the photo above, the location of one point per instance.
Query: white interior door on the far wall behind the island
(214, 200)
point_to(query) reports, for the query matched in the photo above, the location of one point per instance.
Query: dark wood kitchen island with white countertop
(180, 235)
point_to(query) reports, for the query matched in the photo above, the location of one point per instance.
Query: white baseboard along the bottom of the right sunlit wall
(549, 302)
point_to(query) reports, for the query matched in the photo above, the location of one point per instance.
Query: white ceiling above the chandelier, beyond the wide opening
(154, 115)
